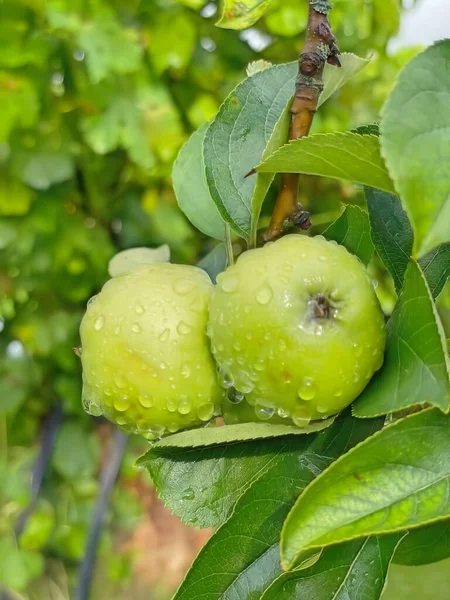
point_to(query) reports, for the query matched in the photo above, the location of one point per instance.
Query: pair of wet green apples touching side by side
(295, 329)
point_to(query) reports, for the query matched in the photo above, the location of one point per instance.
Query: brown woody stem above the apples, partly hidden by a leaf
(319, 48)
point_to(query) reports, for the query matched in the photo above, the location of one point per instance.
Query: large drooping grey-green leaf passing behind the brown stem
(236, 139)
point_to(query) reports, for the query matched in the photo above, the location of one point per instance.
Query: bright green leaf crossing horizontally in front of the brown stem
(337, 155)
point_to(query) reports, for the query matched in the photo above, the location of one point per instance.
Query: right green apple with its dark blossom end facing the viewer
(296, 328)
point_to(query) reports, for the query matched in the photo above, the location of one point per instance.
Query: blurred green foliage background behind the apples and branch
(96, 98)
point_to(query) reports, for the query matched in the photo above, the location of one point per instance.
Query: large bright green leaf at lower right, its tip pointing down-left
(395, 480)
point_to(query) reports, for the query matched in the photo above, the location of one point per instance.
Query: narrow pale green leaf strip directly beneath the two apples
(211, 436)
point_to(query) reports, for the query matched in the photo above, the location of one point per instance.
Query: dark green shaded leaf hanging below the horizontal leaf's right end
(392, 234)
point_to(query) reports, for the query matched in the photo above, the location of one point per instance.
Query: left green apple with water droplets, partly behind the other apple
(146, 359)
